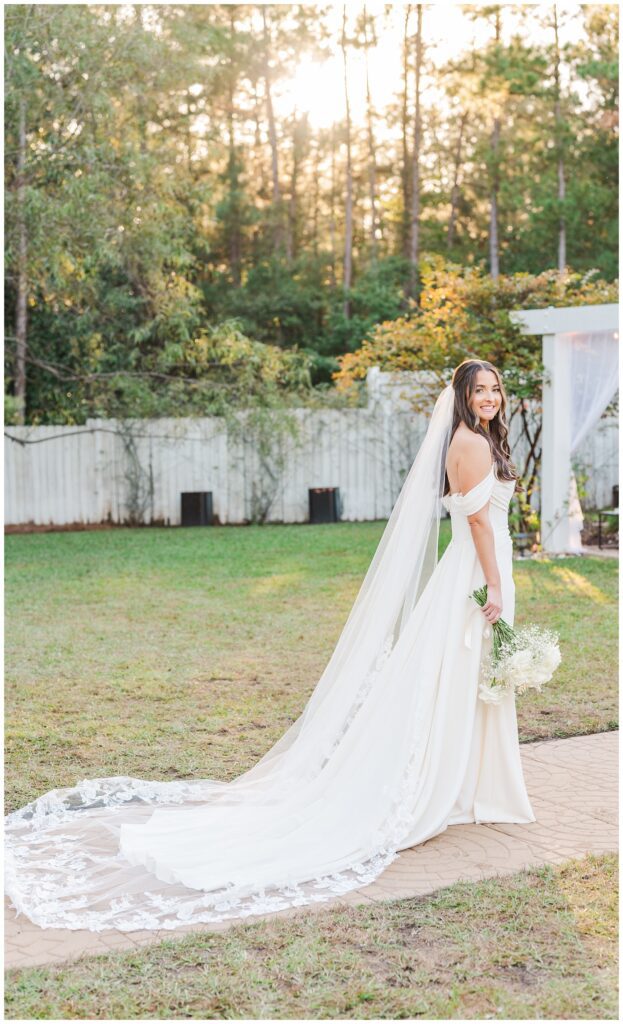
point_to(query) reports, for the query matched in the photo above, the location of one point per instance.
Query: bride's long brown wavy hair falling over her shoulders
(464, 382)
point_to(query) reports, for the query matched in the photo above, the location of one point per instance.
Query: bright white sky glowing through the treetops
(318, 89)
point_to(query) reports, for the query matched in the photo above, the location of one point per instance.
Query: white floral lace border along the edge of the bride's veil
(48, 884)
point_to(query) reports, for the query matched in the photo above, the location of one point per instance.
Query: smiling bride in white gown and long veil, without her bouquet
(392, 748)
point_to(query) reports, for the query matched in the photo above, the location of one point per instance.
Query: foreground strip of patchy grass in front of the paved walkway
(541, 945)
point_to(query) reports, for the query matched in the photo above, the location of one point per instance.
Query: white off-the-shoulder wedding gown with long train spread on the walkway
(418, 752)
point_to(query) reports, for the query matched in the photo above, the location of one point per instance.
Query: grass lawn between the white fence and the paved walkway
(172, 654)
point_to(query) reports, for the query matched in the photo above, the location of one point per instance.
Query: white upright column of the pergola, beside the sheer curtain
(556, 459)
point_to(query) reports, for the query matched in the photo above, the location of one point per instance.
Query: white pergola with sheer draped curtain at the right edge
(580, 358)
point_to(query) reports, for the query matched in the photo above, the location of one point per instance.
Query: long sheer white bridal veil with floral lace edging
(64, 866)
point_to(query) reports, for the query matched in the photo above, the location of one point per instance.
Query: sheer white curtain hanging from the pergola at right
(594, 367)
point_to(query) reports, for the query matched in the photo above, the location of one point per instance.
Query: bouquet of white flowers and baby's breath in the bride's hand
(520, 660)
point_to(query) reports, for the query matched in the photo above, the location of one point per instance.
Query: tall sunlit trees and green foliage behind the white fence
(148, 193)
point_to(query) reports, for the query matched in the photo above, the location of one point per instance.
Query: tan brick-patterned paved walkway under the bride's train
(573, 791)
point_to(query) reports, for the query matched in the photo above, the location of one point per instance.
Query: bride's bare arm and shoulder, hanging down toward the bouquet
(475, 463)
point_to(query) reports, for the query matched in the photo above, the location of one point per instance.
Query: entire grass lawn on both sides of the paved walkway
(168, 654)
